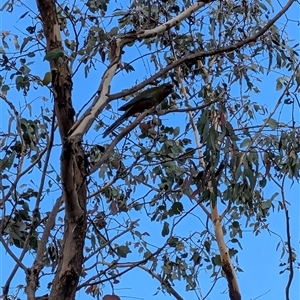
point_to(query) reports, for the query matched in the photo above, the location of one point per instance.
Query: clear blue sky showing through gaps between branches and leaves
(259, 258)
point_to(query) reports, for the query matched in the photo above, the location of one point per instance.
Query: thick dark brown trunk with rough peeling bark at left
(73, 171)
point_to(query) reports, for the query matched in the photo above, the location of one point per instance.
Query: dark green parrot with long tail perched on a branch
(143, 101)
